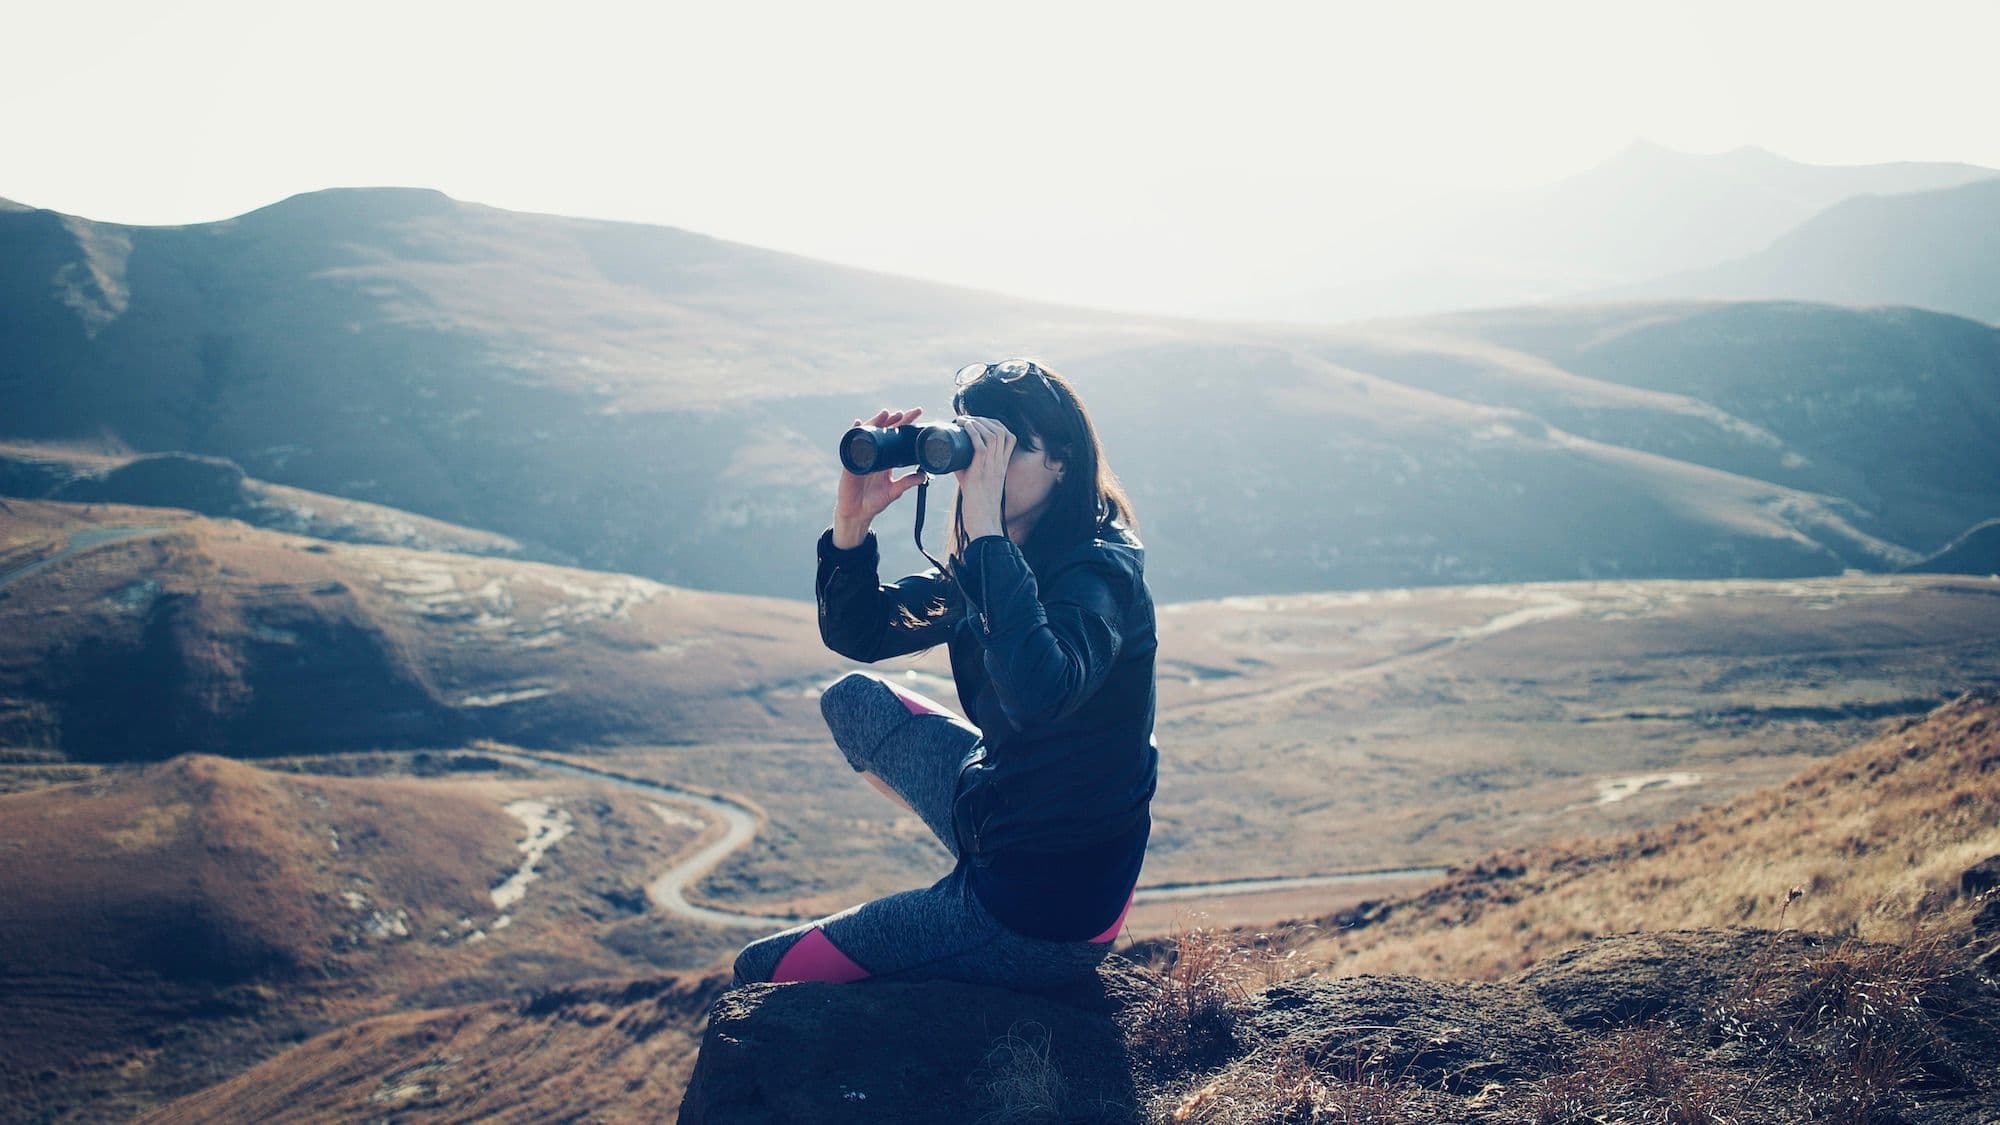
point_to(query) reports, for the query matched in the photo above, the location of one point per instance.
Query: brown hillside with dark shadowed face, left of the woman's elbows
(213, 638)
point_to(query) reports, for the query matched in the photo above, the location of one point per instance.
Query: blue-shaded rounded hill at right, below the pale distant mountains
(1887, 409)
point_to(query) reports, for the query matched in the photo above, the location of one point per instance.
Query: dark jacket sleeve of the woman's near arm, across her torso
(1047, 652)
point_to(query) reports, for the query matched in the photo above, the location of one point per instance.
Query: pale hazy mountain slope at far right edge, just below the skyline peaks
(1931, 249)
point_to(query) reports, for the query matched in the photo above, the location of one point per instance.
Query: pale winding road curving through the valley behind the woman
(669, 890)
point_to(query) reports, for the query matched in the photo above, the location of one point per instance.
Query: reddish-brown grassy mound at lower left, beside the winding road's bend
(167, 928)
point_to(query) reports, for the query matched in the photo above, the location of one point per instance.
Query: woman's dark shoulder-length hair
(1089, 493)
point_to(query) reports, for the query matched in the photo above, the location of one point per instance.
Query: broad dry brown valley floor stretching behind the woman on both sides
(1299, 736)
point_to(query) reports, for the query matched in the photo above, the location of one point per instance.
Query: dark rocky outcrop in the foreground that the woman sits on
(1745, 1024)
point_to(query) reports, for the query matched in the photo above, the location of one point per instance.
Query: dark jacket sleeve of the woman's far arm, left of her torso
(867, 622)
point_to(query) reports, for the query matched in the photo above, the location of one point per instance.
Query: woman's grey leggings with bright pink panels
(941, 932)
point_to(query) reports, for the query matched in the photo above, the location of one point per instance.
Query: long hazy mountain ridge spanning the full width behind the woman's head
(659, 403)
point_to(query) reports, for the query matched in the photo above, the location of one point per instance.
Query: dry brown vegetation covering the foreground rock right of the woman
(1785, 1028)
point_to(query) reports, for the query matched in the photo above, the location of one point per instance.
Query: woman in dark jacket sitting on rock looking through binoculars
(1043, 798)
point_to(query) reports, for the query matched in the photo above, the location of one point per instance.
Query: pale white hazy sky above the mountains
(1071, 149)
